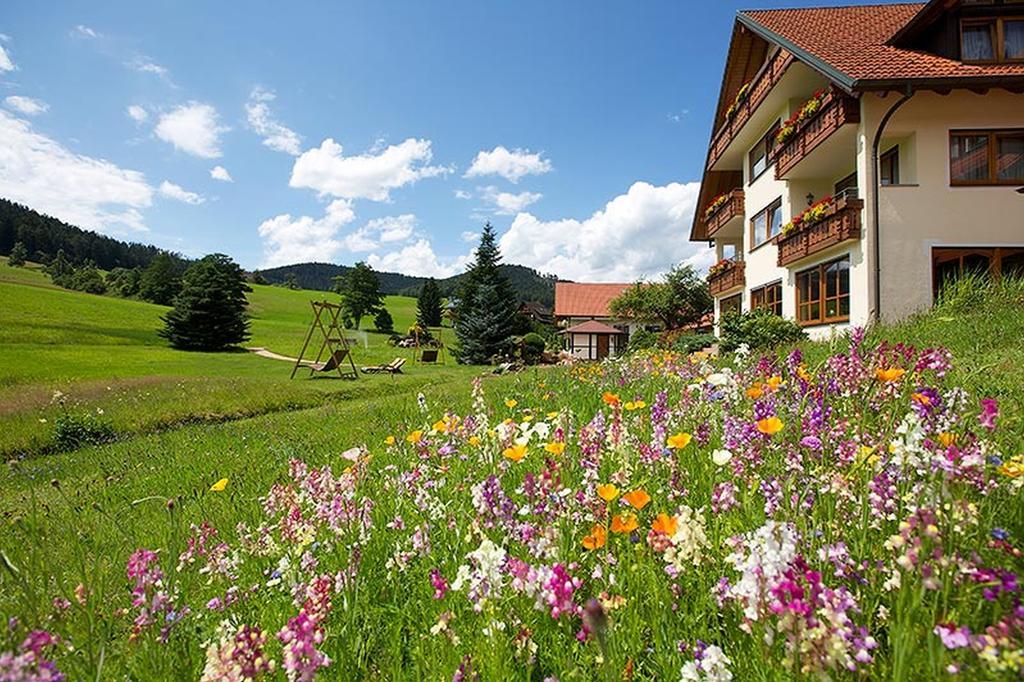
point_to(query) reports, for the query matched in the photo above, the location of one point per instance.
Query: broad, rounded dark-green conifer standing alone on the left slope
(209, 313)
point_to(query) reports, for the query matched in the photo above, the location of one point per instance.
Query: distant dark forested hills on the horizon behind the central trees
(528, 283)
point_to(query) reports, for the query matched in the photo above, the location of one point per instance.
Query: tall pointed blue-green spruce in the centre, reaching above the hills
(487, 307)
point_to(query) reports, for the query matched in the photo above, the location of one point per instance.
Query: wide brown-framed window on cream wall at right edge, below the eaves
(987, 157)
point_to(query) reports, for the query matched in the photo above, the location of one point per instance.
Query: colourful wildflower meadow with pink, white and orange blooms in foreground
(662, 518)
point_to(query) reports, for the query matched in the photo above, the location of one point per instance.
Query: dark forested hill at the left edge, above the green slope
(44, 237)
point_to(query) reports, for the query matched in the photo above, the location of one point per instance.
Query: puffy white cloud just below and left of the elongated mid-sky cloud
(288, 240)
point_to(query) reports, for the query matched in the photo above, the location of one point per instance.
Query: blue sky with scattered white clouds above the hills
(379, 132)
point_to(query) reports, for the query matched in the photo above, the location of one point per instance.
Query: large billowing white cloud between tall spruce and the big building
(641, 234)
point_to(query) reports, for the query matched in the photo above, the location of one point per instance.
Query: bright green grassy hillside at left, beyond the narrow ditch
(105, 354)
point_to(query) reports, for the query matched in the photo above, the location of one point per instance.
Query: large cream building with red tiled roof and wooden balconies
(863, 156)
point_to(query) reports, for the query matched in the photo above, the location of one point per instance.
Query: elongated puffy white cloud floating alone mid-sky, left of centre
(371, 176)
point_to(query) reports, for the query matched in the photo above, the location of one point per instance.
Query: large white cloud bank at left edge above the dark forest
(90, 193)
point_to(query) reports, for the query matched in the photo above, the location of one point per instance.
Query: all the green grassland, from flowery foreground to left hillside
(837, 511)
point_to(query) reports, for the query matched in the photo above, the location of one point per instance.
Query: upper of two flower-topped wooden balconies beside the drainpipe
(815, 123)
